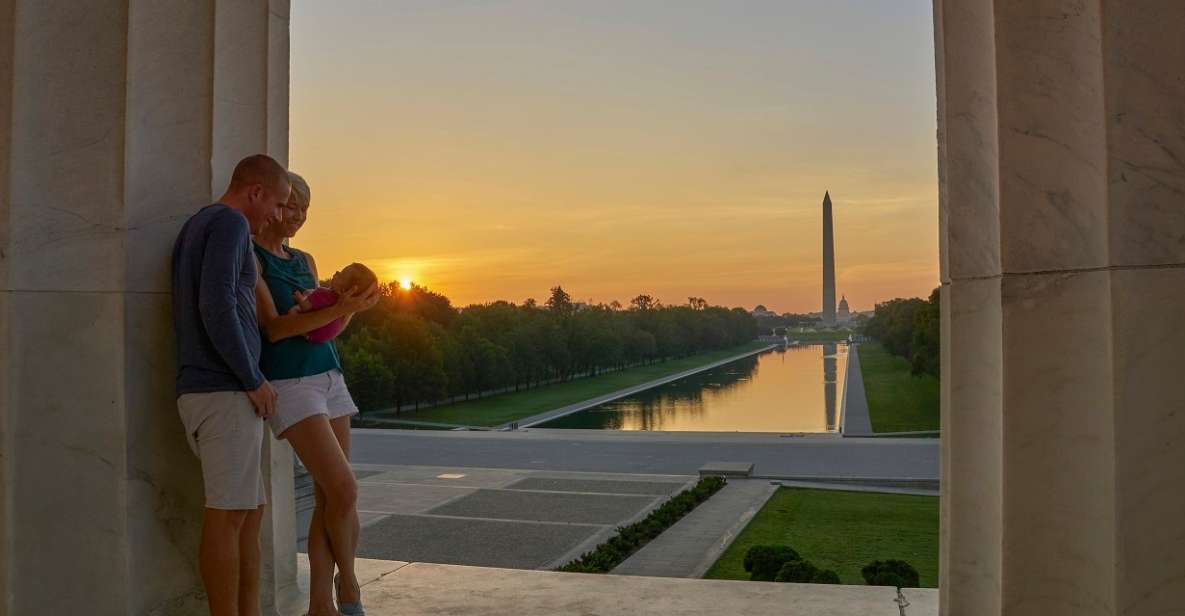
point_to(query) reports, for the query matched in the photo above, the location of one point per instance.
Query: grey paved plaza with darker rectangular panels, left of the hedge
(502, 518)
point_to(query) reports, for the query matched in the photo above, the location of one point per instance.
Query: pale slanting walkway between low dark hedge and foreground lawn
(691, 547)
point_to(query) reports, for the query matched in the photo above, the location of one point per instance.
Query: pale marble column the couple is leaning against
(116, 125)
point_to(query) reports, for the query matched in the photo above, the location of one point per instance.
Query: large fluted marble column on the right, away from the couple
(1062, 161)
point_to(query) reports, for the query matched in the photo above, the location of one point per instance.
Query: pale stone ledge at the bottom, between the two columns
(403, 589)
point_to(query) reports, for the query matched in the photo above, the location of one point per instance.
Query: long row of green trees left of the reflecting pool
(414, 348)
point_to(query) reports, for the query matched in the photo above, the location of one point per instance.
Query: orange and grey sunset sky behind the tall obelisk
(494, 150)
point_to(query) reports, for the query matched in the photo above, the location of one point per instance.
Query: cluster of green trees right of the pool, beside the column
(909, 329)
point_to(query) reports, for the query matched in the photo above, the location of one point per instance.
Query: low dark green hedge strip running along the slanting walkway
(632, 538)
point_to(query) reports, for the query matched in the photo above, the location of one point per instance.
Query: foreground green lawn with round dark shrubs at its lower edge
(843, 531)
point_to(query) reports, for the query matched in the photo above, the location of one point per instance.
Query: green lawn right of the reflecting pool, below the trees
(899, 402)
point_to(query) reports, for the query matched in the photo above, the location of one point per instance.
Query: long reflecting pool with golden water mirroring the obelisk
(778, 392)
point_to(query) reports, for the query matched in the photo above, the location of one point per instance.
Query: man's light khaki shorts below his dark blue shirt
(227, 435)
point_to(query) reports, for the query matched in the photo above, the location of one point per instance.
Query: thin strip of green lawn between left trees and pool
(504, 408)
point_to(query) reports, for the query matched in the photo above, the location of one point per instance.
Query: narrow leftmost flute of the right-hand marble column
(972, 371)
